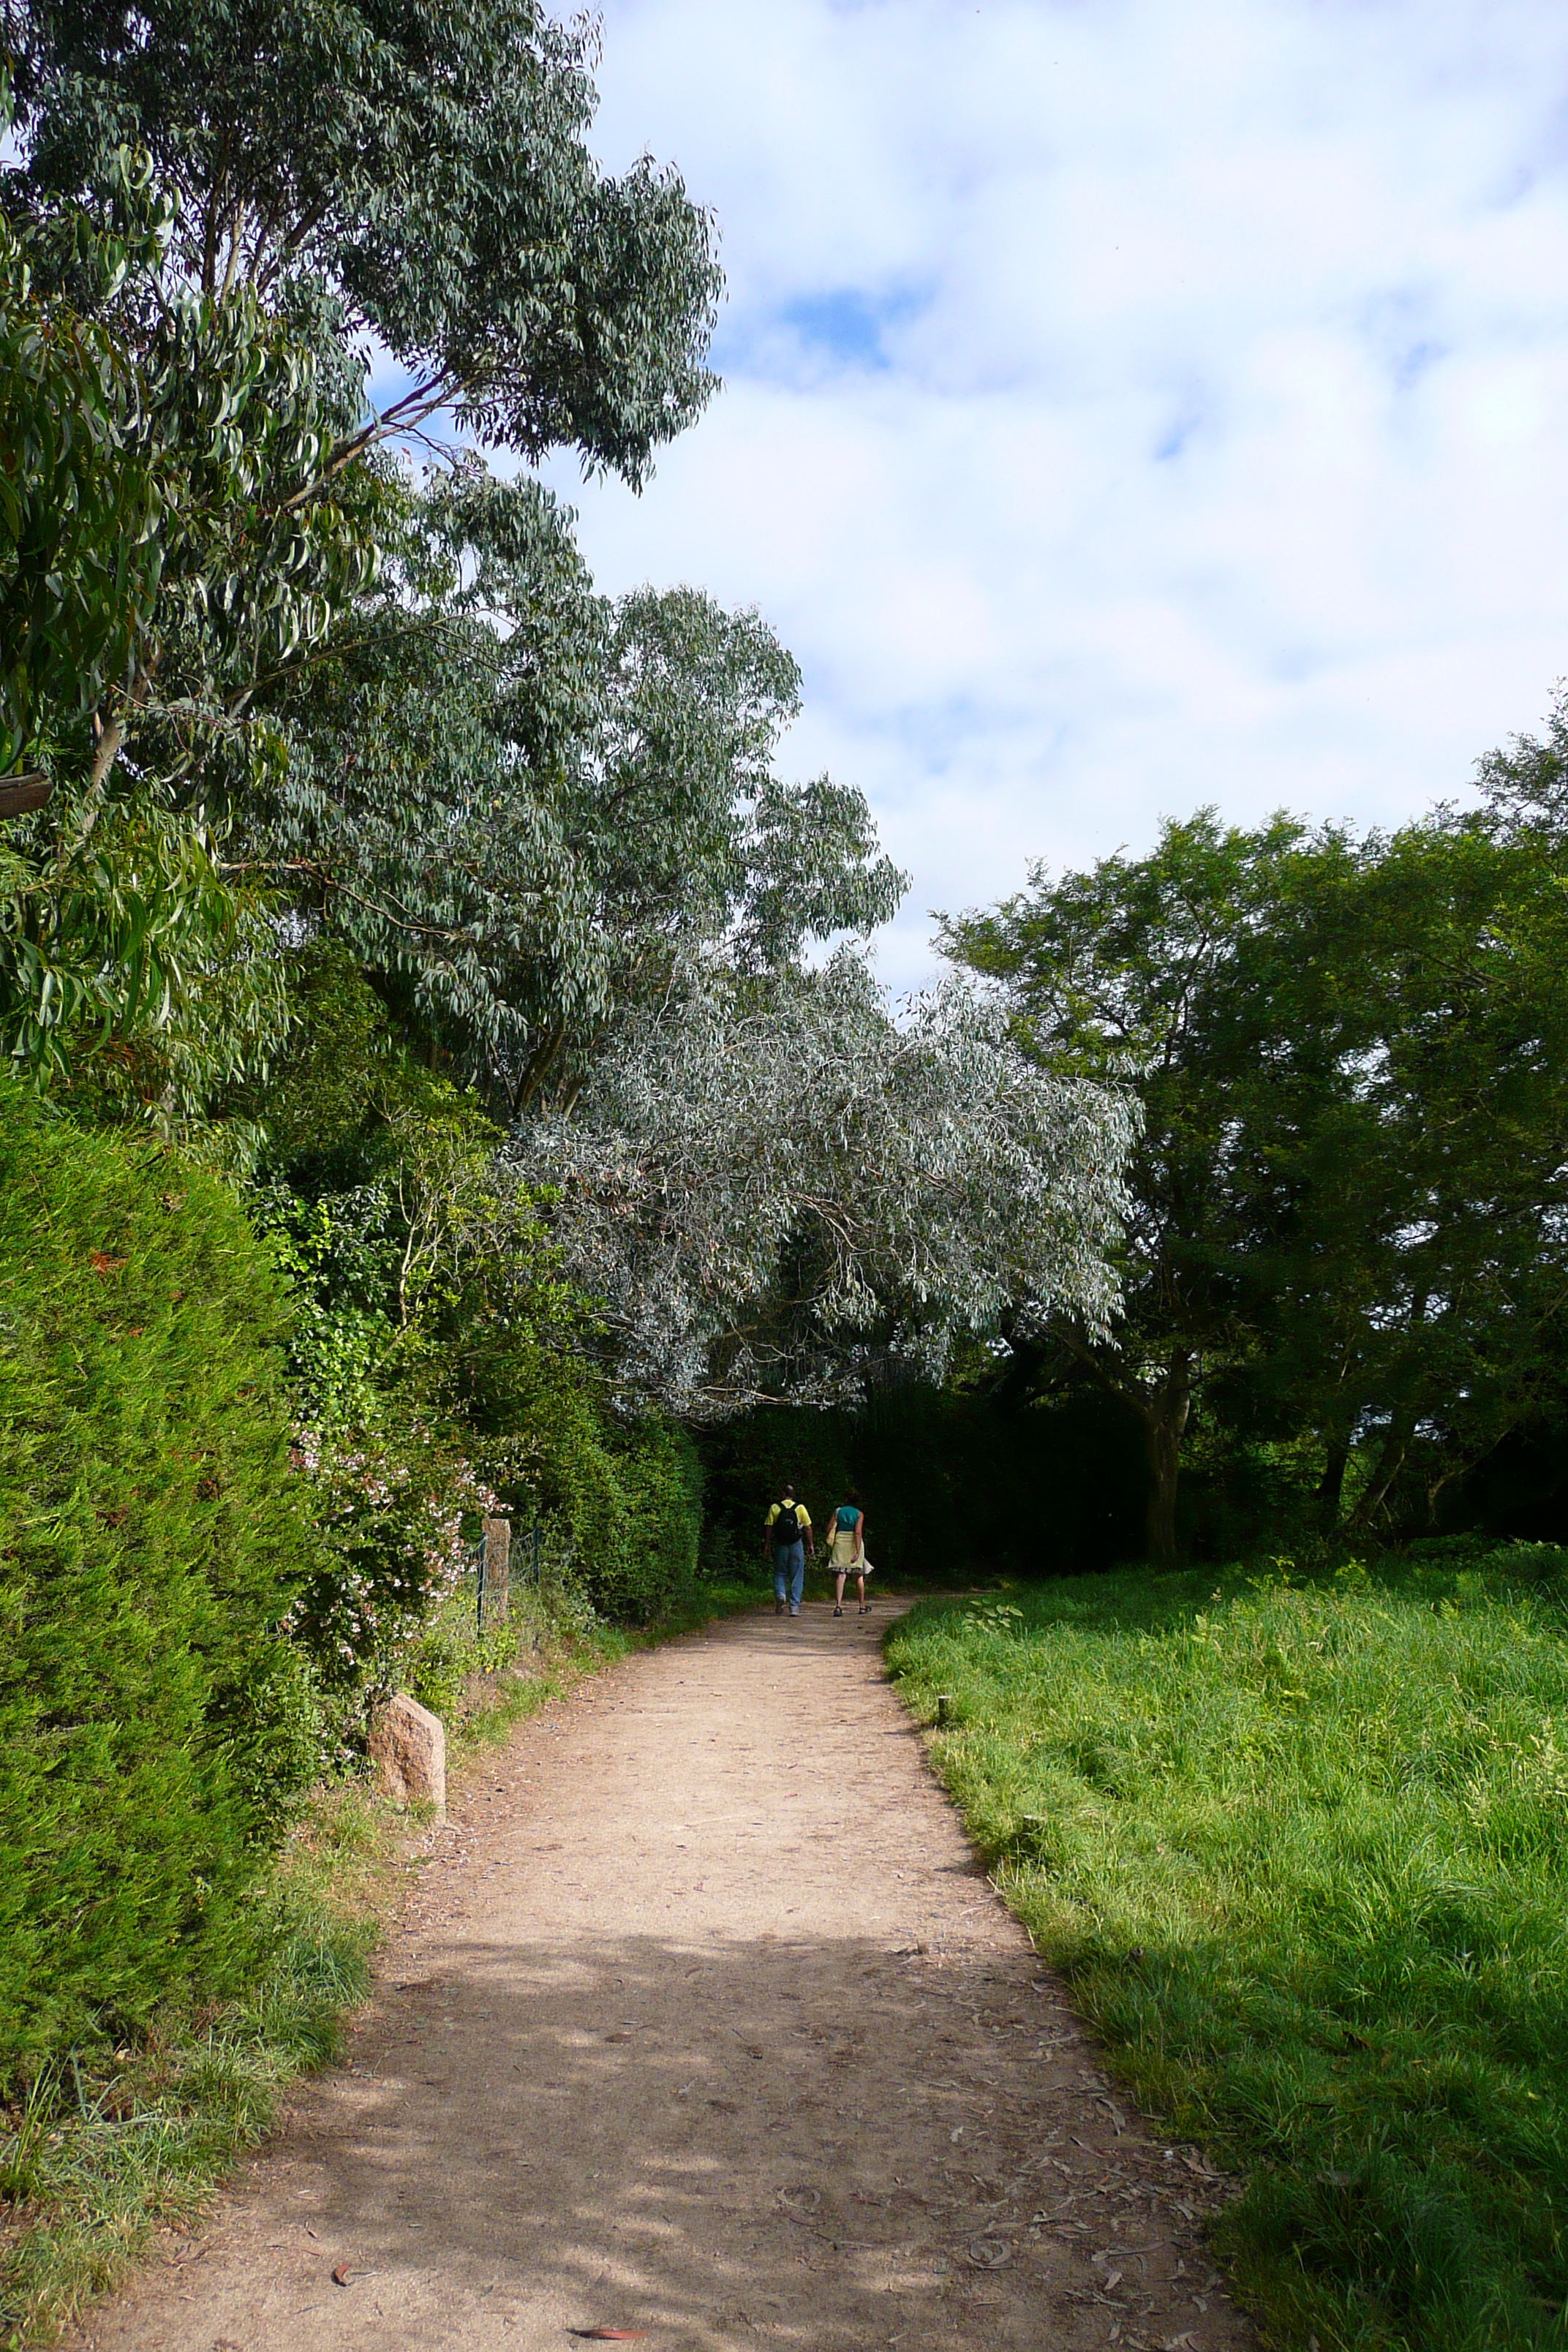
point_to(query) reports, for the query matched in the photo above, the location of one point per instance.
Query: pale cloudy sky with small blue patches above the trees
(1127, 403)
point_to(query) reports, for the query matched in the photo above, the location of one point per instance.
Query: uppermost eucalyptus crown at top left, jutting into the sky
(406, 171)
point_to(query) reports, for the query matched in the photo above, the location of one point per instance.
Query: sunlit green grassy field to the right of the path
(1304, 1850)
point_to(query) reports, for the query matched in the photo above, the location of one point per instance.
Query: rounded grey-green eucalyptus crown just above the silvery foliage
(523, 803)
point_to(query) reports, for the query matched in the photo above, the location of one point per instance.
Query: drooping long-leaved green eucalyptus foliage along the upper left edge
(156, 453)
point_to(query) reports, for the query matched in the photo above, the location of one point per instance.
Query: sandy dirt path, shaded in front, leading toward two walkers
(711, 2029)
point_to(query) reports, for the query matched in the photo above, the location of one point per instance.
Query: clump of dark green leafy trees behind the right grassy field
(1351, 1198)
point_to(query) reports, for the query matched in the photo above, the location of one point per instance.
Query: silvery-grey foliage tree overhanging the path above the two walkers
(772, 1184)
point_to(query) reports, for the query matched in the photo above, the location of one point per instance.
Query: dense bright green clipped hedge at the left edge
(152, 1728)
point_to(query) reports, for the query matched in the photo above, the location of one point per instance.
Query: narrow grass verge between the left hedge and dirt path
(116, 2141)
